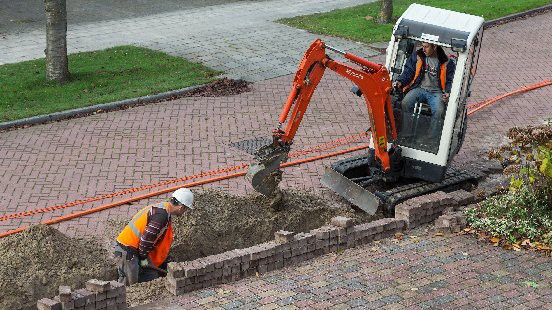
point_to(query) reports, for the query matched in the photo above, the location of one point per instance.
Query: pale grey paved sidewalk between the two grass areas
(240, 38)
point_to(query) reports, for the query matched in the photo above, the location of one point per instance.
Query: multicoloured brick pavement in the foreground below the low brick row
(423, 271)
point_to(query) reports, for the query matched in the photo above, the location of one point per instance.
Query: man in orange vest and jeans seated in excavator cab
(427, 76)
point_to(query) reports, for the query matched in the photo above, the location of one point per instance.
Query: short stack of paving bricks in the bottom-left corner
(98, 295)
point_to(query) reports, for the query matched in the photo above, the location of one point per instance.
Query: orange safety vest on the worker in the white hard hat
(130, 236)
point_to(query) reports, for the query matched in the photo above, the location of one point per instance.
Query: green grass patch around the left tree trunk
(96, 77)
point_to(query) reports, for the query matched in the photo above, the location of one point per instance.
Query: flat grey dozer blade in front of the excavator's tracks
(351, 191)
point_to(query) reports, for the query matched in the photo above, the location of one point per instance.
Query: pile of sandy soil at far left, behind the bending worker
(35, 262)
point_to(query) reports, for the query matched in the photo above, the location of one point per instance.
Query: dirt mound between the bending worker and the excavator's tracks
(222, 222)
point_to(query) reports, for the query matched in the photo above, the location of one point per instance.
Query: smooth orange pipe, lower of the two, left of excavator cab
(163, 191)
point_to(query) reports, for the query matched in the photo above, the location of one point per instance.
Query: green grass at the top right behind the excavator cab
(351, 23)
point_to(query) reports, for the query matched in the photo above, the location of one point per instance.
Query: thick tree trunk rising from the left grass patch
(57, 67)
